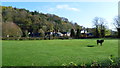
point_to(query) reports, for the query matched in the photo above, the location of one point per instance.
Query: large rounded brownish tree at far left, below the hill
(11, 29)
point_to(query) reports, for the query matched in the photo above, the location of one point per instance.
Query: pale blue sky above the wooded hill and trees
(82, 13)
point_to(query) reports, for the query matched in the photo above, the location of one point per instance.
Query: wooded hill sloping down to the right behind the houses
(33, 21)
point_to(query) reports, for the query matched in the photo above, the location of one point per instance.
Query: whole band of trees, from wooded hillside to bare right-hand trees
(19, 22)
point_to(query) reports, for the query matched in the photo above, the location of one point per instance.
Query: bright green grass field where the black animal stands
(56, 52)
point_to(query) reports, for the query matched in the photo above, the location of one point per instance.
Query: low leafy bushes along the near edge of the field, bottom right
(96, 64)
